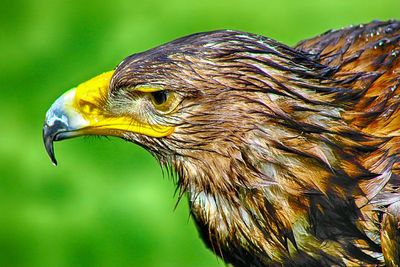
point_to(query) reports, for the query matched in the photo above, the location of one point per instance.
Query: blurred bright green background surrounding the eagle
(107, 204)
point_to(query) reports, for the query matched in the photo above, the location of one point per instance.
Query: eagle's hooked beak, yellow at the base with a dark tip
(82, 111)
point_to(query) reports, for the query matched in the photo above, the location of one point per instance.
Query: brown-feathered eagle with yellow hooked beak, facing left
(289, 156)
